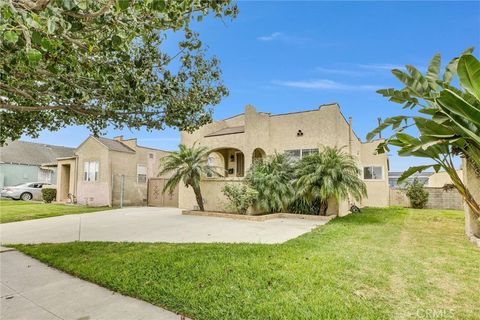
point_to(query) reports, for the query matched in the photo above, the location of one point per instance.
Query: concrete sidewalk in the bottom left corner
(31, 290)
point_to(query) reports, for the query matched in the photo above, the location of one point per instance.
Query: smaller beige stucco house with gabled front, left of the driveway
(109, 172)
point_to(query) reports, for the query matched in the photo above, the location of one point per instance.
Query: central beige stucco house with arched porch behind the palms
(237, 142)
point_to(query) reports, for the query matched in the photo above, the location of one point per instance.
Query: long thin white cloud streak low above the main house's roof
(325, 84)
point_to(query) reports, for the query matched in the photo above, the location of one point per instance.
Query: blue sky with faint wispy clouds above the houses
(290, 56)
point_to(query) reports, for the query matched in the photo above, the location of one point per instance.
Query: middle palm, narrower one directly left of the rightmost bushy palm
(272, 179)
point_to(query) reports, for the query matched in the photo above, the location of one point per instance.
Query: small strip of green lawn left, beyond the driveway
(11, 210)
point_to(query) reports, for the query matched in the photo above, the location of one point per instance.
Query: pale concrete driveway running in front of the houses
(152, 224)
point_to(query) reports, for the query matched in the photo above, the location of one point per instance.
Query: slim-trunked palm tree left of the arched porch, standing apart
(188, 165)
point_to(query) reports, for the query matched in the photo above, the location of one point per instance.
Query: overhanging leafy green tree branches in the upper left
(105, 62)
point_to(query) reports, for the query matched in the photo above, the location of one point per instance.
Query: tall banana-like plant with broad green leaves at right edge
(449, 120)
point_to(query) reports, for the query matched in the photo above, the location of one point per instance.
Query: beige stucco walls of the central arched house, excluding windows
(278, 133)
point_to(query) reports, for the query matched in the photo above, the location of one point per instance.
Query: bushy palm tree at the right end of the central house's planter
(330, 173)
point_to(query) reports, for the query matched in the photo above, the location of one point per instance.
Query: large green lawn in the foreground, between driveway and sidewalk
(381, 264)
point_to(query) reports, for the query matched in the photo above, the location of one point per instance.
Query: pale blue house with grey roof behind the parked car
(22, 161)
